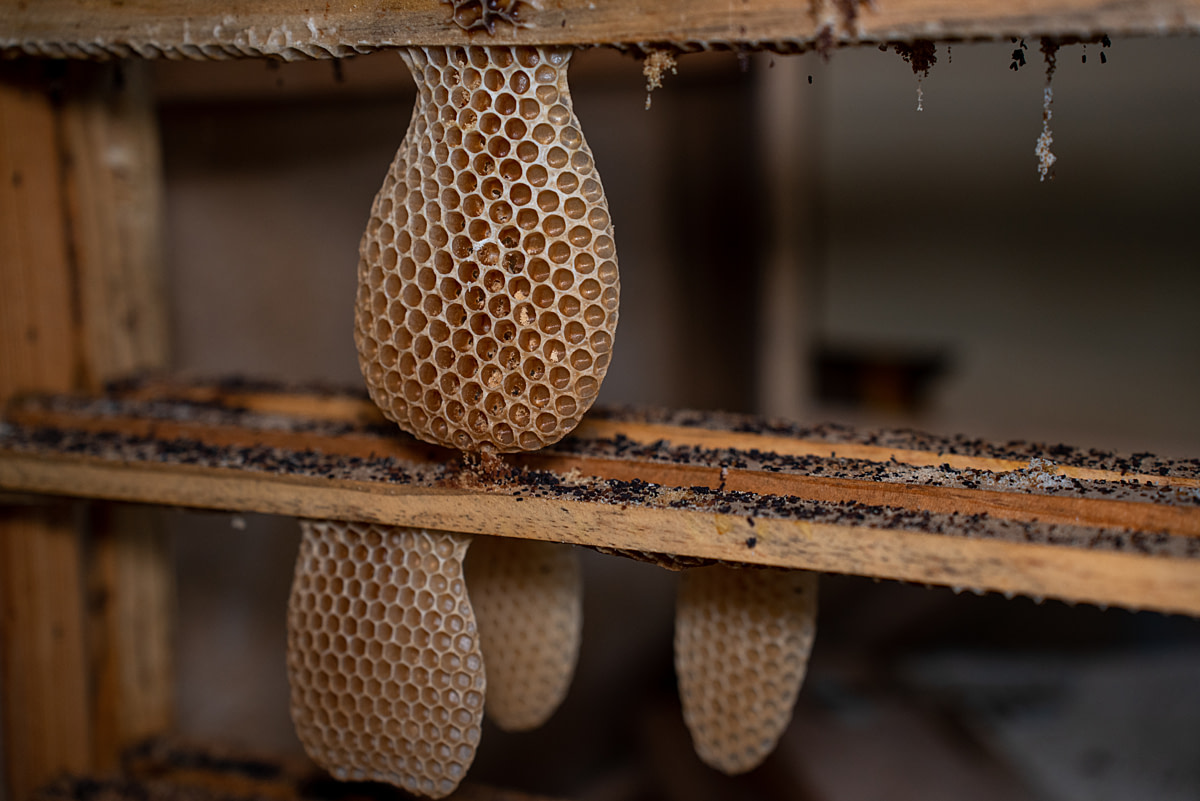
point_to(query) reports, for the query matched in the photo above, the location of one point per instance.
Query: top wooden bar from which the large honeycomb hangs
(295, 29)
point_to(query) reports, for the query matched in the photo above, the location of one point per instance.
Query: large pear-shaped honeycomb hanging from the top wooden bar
(488, 275)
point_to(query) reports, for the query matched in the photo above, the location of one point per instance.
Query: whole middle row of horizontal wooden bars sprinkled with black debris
(627, 485)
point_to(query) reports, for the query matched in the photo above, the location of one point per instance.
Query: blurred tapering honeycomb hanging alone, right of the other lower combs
(742, 648)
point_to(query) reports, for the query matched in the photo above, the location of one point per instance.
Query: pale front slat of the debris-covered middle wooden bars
(1073, 574)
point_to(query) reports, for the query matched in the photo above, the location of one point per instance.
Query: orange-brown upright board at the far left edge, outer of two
(43, 628)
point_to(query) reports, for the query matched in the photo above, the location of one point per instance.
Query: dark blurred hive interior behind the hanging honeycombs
(1059, 311)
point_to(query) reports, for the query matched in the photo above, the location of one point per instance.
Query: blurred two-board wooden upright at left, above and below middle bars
(85, 610)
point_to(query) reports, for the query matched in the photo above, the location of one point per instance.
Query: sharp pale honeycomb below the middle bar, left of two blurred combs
(383, 655)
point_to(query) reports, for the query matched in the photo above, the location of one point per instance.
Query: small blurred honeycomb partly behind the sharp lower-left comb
(529, 600)
